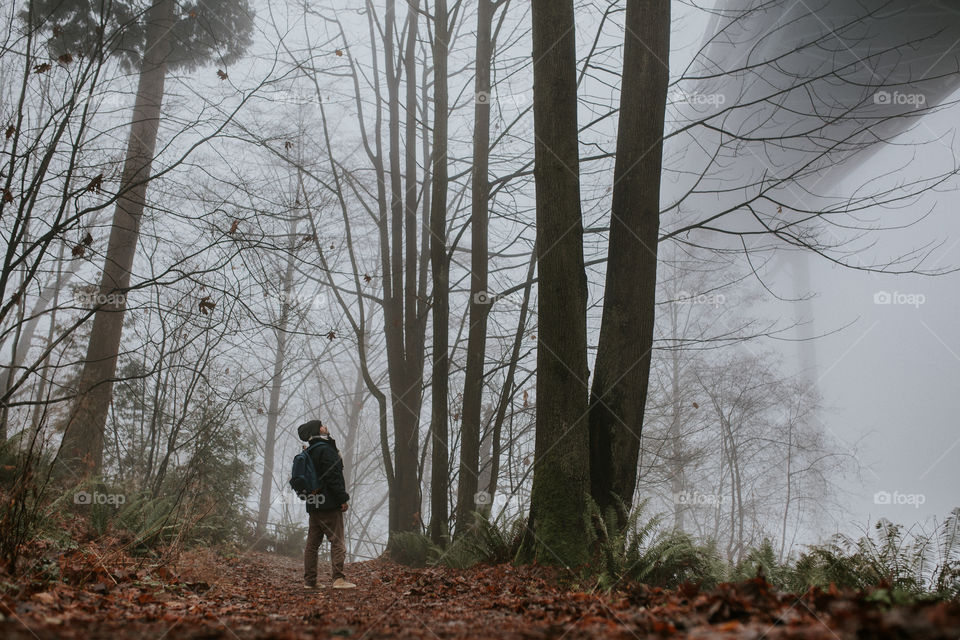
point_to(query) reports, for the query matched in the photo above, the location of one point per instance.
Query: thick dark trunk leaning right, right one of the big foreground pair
(622, 368)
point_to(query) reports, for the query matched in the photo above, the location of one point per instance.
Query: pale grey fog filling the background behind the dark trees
(808, 233)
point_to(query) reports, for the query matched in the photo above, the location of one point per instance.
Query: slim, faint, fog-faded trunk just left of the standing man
(276, 385)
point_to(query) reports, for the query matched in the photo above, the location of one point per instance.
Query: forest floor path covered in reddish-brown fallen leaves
(203, 595)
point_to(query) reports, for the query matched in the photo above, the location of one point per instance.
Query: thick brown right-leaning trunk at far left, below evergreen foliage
(82, 449)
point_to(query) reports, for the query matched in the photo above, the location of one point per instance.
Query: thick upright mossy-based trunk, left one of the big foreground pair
(561, 479)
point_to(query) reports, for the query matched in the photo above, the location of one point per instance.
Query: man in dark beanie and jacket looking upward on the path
(326, 507)
